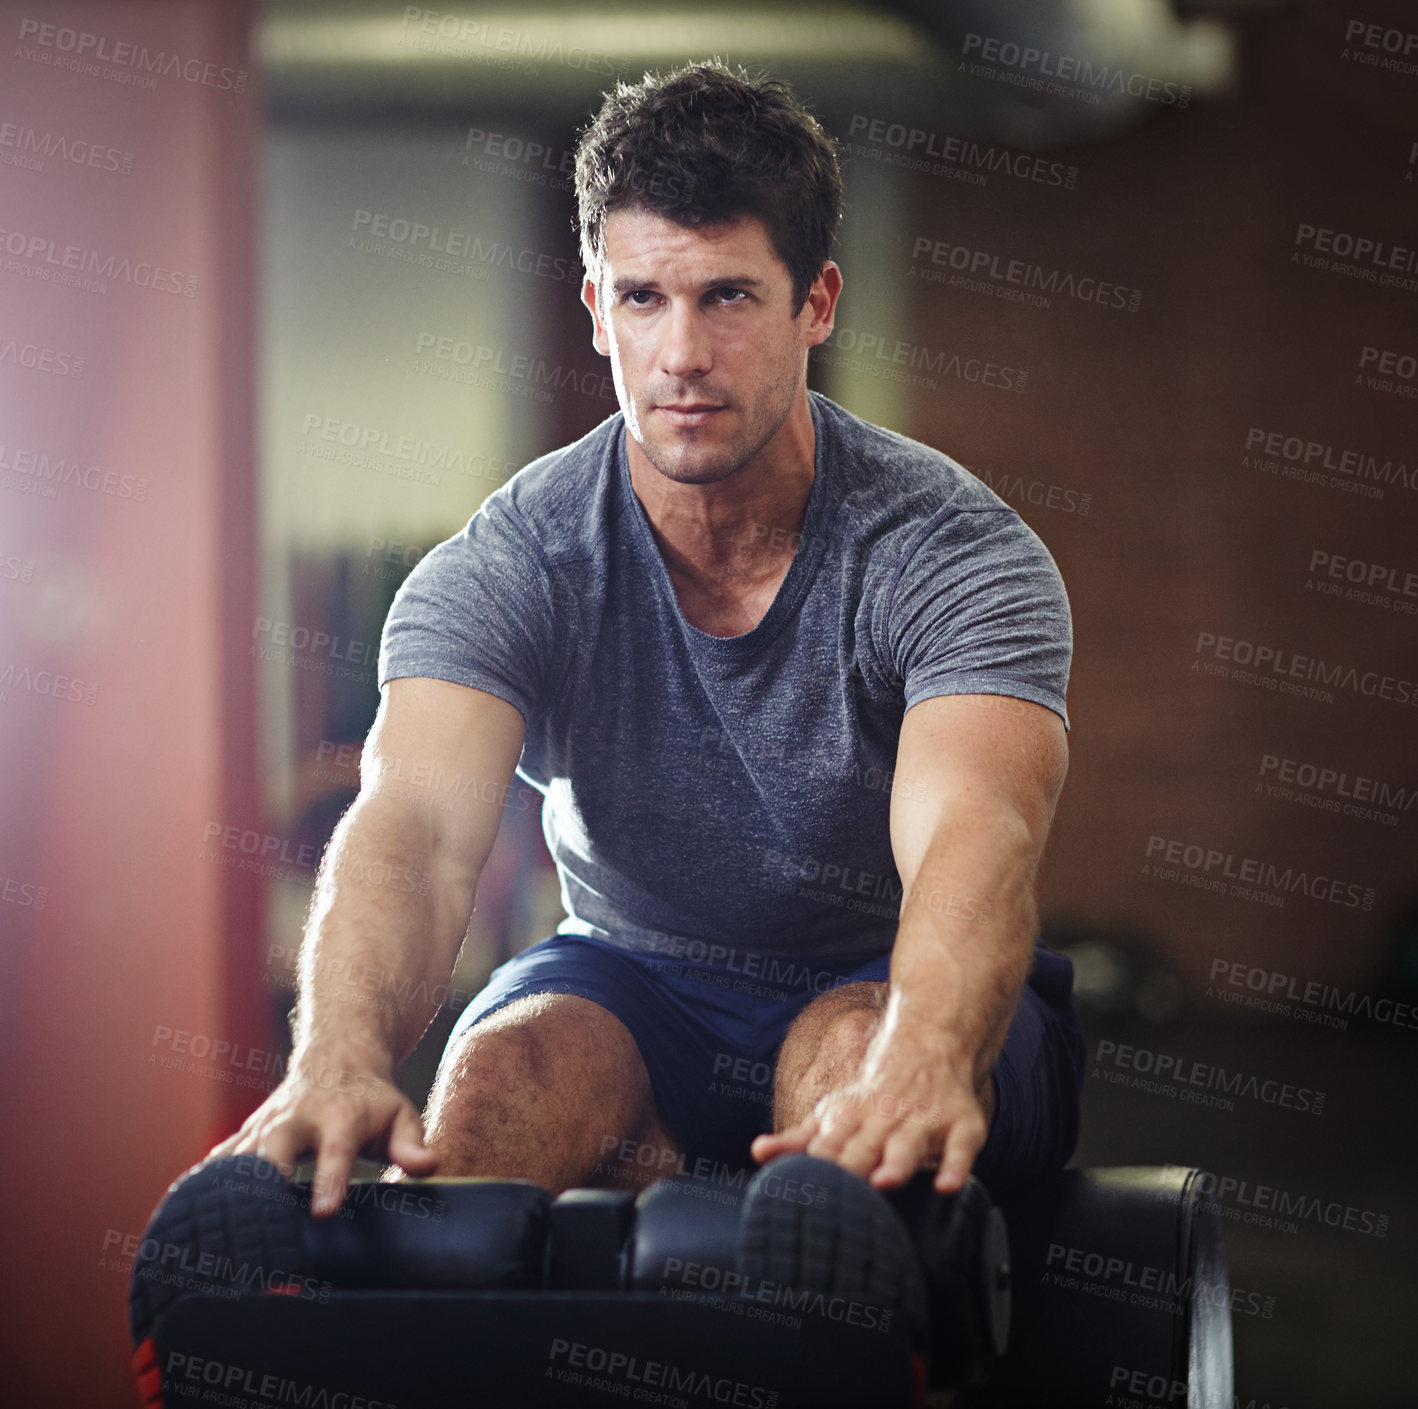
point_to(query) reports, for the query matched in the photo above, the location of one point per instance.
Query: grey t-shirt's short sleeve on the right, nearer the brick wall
(979, 609)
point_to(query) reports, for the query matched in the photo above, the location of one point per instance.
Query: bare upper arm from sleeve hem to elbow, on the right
(975, 766)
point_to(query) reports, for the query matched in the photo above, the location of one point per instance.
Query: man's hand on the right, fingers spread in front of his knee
(911, 1108)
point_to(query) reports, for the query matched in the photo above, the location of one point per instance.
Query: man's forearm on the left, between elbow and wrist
(389, 914)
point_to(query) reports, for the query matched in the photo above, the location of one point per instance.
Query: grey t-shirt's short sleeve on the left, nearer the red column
(477, 610)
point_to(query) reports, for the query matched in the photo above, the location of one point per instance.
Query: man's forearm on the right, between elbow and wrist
(965, 942)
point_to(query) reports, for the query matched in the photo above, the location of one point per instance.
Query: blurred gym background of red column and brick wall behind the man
(287, 290)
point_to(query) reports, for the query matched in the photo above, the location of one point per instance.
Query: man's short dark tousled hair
(705, 145)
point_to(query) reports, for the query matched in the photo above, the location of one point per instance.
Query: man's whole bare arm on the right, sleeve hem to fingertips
(968, 847)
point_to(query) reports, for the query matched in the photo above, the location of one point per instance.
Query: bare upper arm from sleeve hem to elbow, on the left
(447, 755)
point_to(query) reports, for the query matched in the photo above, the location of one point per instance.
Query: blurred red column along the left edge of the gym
(130, 992)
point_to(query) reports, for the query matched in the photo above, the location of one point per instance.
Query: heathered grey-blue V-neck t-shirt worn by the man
(713, 796)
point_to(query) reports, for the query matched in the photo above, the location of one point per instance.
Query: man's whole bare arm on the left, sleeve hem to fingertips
(391, 909)
